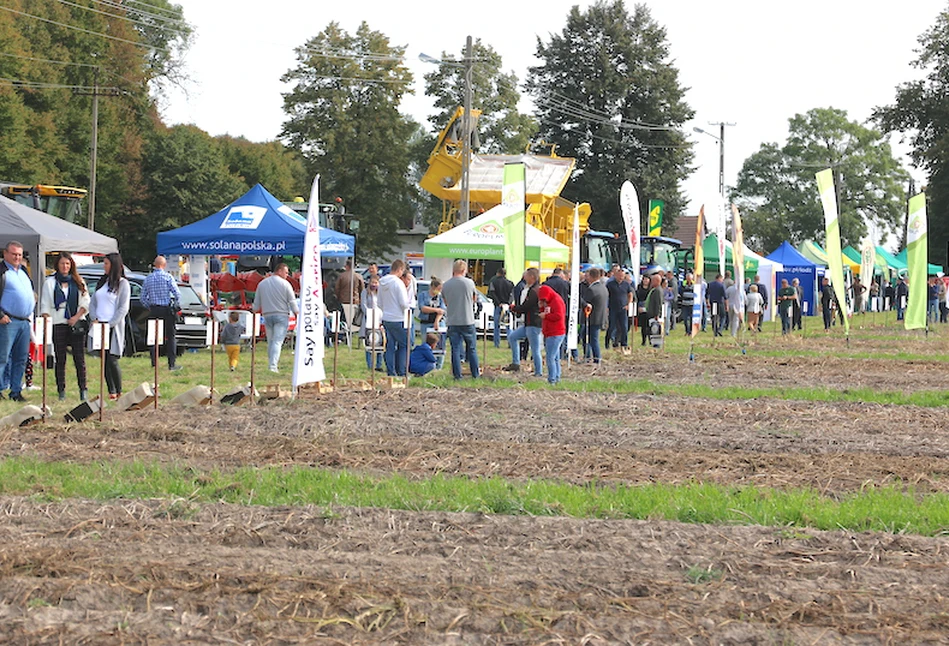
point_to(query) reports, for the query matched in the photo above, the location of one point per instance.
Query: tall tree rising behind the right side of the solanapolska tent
(343, 117)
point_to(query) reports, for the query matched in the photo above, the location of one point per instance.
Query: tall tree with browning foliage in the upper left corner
(53, 68)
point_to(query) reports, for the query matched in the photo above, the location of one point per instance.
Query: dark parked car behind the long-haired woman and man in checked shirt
(192, 316)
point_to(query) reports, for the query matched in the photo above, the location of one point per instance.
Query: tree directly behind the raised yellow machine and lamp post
(502, 129)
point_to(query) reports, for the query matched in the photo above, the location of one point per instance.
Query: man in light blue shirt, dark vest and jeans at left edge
(16, 306)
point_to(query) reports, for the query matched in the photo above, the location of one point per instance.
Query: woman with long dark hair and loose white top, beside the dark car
(110, 304)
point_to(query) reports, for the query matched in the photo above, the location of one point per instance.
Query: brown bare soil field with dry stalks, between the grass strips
(163, 571)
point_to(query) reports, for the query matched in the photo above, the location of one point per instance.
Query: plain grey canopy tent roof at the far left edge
(41, 233)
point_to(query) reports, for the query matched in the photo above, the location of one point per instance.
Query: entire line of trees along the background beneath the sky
(606, 92)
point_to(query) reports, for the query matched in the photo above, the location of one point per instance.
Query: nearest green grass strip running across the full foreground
(889, 509)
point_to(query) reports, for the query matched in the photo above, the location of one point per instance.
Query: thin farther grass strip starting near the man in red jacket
(923, 398)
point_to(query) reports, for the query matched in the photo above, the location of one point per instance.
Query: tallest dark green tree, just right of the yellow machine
(608, 95)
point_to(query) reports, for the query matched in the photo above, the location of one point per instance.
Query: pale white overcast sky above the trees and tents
(749, 62)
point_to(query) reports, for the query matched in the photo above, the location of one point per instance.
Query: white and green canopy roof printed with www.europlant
(482, 238)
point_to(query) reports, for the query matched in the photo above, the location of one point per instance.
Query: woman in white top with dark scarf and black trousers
(65, 300)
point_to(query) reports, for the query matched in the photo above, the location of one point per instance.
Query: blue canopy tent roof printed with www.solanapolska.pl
(256, 223)
